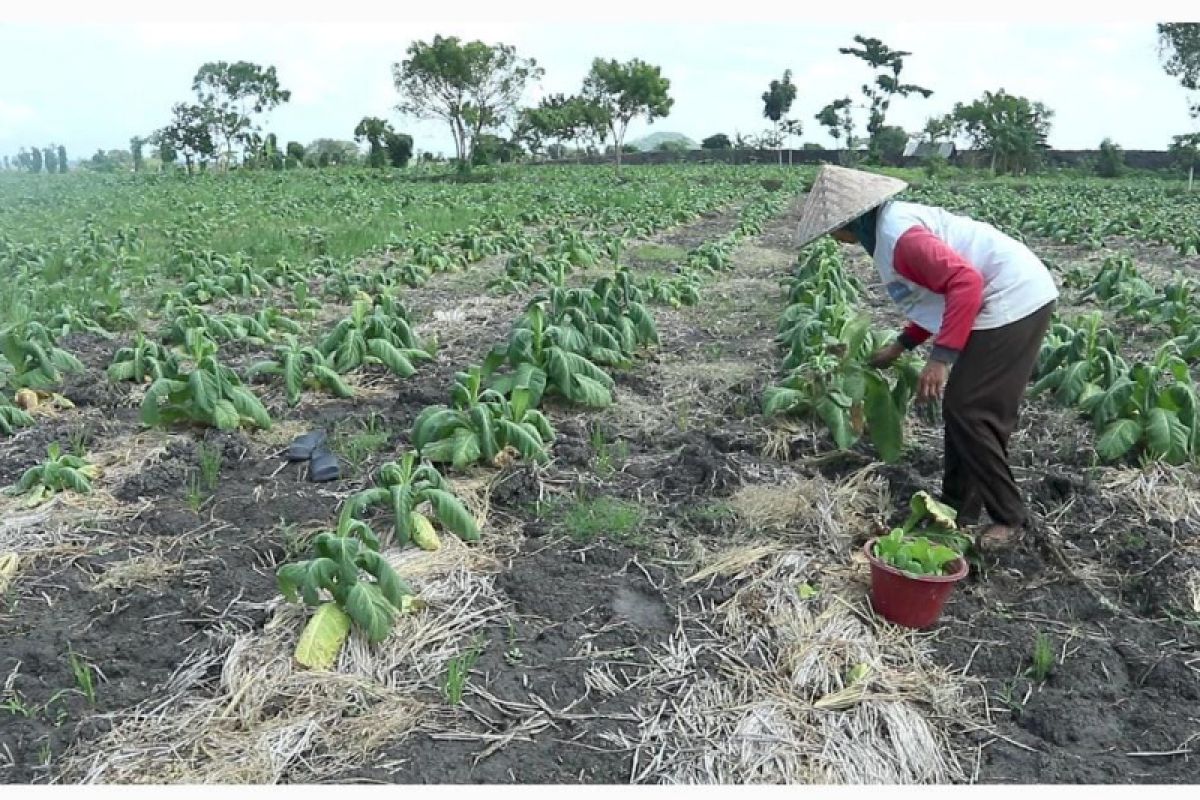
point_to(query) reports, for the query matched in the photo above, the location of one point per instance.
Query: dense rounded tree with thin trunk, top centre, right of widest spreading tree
(622, 93)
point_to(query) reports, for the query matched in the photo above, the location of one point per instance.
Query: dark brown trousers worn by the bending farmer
(981, 410)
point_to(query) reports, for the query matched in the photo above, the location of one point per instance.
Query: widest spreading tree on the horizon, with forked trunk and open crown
(472, 87)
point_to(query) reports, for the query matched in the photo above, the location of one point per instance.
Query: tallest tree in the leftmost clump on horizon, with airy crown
(236, 95)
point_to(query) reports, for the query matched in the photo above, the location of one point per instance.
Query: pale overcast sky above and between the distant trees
(92, 86)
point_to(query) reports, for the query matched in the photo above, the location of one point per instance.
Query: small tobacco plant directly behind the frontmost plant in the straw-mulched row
(405, 489)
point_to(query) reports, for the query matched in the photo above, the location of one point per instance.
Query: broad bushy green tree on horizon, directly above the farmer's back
(1011, 128)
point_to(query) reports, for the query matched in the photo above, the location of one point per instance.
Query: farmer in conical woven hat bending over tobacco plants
(988, 302)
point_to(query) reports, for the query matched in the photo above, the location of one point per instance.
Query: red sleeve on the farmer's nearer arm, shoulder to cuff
(927, 261)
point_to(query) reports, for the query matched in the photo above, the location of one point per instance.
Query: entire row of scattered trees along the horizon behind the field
(476, 91)
